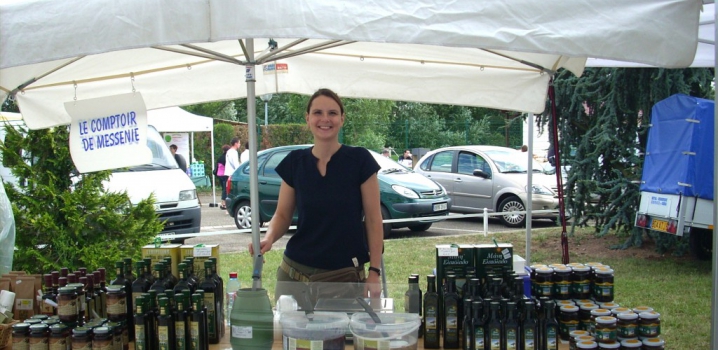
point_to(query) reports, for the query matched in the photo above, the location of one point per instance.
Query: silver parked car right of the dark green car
(479, 177)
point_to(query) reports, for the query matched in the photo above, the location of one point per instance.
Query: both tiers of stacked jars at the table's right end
(588, 316)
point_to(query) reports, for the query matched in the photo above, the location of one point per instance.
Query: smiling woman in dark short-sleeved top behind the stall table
(335, 190)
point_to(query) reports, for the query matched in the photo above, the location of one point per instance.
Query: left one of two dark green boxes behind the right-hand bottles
(453, 259)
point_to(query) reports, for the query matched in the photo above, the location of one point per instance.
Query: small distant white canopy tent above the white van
(175, 119)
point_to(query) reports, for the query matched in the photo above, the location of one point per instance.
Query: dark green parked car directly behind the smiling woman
(404, 193)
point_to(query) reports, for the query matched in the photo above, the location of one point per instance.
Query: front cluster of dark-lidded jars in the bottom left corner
(48, 333)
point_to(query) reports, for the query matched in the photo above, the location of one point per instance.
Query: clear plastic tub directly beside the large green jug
(298, 332)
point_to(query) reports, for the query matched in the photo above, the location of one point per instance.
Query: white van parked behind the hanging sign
(176, 200)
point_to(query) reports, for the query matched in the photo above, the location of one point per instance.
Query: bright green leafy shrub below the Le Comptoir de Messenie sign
(63, 218)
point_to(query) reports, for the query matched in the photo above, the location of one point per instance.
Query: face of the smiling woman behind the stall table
(324, 118)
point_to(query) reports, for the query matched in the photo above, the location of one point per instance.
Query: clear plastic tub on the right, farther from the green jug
(397, 331)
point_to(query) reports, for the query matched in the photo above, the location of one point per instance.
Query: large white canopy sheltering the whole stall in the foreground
(490, 53)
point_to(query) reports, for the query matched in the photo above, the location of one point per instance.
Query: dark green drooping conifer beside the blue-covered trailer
(602, 126)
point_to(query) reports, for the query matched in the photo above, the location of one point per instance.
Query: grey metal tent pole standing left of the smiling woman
(253, 178)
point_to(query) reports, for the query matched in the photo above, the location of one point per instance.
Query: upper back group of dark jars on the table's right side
(573, 281)
